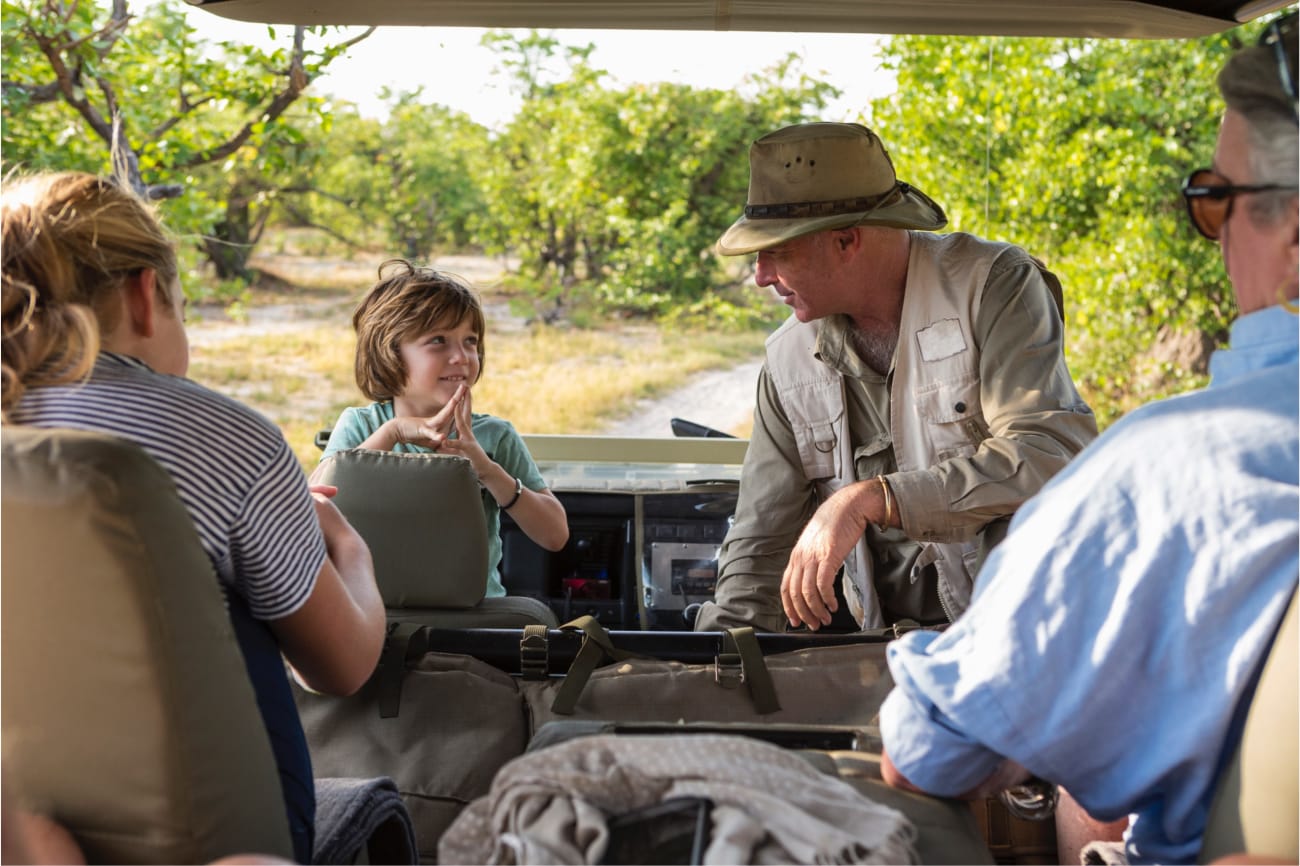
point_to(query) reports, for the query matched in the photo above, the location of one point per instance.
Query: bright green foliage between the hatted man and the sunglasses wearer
(1076, 150)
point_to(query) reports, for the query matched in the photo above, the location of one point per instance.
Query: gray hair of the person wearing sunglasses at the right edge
(1253, 88)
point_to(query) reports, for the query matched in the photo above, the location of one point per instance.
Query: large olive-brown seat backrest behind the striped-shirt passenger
(128, 715)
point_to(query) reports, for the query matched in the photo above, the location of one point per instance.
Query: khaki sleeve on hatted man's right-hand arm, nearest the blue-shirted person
(1037, 421)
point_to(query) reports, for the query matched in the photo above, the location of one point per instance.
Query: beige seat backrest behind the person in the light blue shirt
(1259, 795)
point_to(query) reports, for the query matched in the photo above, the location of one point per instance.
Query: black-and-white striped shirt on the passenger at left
(233, 470)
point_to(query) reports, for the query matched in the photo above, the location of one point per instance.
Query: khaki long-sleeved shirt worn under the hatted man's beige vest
(1037, 426)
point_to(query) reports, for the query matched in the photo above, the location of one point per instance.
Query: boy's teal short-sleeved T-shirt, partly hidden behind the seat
(496, 435)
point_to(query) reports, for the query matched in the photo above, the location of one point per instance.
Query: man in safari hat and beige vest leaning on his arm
(917, 396)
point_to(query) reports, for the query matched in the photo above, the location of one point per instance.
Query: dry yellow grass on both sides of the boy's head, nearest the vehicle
(544, 380)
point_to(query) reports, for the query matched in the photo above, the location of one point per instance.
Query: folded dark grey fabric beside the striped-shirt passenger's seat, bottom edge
(362, 815)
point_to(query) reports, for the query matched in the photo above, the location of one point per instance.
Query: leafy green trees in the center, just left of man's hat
(619, 196)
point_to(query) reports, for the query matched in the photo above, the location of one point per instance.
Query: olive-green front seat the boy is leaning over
(422, 516)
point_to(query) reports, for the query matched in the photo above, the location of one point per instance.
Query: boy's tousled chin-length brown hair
(406, 302)
